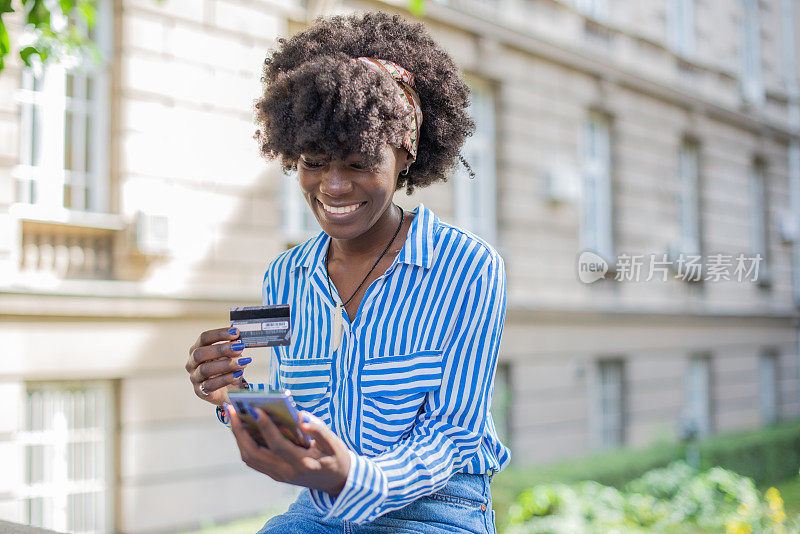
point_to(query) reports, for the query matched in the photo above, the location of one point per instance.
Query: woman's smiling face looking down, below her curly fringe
(346, 198)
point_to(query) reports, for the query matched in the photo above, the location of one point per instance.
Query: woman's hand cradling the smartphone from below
(323, 466)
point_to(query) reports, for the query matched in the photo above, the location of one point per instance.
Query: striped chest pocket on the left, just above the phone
(309, 381)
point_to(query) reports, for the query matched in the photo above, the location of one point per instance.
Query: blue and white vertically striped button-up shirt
(409, 389)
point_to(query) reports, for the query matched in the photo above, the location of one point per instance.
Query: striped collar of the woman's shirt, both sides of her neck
(417, 249)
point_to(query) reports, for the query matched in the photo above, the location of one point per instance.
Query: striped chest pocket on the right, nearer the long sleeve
(393, 391)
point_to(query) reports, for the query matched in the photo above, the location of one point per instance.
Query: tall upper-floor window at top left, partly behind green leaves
(63, 160)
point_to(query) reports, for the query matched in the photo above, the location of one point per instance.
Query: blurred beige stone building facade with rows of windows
(655, 141)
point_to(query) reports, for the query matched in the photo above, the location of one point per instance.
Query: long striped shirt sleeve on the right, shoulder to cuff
(448, 434)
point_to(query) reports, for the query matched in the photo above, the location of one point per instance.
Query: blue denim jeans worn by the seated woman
(464, 504)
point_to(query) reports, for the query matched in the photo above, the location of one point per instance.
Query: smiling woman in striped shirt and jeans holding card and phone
(396, 316)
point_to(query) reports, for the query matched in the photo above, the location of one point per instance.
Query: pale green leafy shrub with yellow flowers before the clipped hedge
(677, 499)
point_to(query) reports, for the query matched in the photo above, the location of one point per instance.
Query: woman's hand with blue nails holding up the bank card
(216, 363)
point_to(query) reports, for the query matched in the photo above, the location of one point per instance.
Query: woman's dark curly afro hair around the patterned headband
(317, 100)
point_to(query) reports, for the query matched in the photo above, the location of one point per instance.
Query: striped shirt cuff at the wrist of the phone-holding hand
(363, 494)
